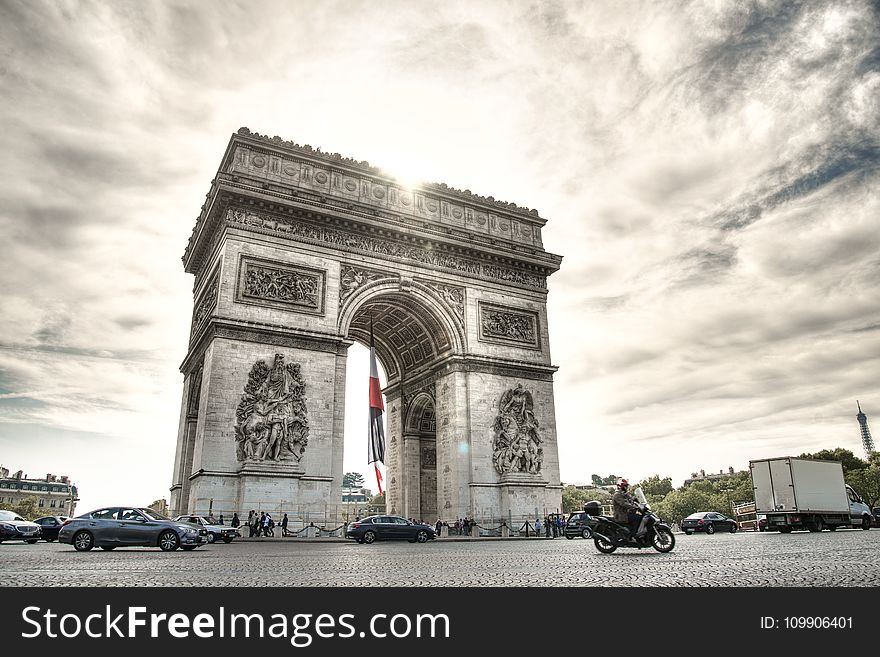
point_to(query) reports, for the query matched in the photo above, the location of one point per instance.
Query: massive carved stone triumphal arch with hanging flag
(295, 253)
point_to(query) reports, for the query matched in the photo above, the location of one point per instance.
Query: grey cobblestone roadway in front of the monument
(842, 558)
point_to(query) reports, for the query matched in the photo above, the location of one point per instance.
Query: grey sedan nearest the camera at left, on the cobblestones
(114, 527)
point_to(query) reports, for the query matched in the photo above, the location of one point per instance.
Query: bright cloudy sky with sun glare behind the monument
(708, 170)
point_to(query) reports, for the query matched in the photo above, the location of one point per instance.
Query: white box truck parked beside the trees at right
(798, 493)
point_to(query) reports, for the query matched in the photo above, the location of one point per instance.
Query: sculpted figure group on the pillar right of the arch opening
(517, 446)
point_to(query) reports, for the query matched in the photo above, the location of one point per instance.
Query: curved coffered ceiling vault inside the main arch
(409, 337)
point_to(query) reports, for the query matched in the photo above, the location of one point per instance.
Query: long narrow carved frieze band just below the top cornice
(389, 248)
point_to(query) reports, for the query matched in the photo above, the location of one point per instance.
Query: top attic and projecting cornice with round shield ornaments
(248, 168)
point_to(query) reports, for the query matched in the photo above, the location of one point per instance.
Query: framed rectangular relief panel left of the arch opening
(280, 285)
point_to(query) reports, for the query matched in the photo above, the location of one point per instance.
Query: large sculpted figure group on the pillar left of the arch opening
(271, 420)
